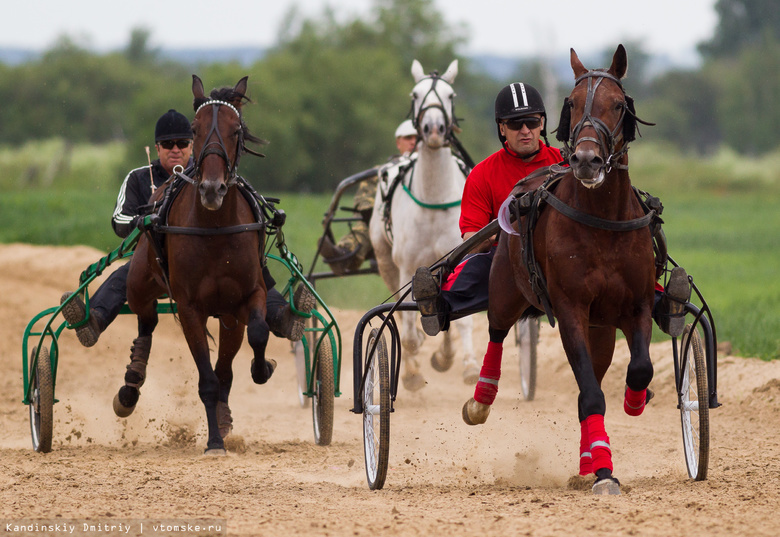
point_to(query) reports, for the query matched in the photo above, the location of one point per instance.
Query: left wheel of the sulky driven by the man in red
(376, 413)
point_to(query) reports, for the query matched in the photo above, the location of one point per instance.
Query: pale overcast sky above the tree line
(505, 27)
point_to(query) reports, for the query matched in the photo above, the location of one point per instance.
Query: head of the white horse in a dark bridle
(432, 106)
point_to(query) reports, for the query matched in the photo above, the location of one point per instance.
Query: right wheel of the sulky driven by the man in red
(694, 404)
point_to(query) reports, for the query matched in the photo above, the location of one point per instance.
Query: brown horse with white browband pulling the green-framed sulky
(212, 246)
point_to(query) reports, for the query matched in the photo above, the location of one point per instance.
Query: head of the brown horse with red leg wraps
(597, 120)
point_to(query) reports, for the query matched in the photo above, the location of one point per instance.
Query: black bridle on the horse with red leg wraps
(607, 139)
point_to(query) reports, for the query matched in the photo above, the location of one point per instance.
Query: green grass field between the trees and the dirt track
(720, 220)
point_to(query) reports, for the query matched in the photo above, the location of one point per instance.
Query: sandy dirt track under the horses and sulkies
(508, 477)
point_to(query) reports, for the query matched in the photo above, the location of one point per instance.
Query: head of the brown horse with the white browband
(218, 139)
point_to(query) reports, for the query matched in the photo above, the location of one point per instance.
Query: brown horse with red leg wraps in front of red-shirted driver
(592, 248)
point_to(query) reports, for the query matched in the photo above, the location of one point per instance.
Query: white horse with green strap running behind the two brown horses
(423, 223)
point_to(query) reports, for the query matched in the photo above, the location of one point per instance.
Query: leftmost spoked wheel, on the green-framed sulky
(42, 402)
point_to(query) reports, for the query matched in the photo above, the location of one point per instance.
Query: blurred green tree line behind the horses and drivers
(329, 94)
